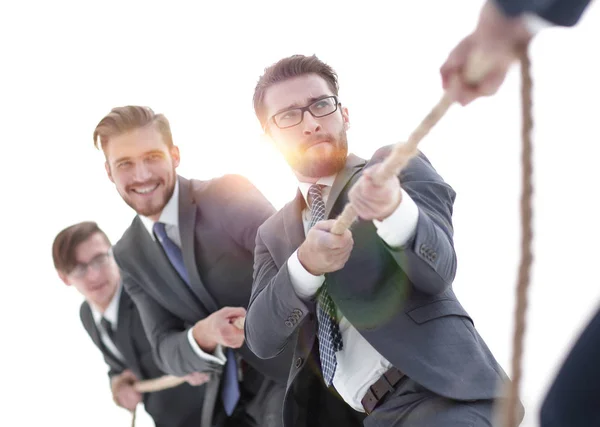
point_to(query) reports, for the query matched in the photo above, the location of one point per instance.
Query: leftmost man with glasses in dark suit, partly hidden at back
(83, 259)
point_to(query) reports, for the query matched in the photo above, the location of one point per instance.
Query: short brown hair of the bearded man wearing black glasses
(287, 68)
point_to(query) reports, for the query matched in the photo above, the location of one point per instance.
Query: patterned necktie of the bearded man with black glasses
(330, 337)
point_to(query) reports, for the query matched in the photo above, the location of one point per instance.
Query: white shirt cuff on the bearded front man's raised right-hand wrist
(400, 226)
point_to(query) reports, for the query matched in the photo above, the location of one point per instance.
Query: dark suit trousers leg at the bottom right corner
(573, 400)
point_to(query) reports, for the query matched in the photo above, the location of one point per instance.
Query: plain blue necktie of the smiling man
(230, 390)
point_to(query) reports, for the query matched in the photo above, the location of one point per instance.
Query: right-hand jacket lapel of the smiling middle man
(187, 222)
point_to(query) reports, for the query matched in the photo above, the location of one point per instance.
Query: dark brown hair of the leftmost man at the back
(65, 243)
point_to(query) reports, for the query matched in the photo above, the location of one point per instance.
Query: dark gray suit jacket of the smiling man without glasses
(218, 220)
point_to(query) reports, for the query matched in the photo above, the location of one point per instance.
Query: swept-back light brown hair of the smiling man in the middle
(124, 119)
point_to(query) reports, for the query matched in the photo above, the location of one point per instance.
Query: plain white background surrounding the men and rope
(65, 64)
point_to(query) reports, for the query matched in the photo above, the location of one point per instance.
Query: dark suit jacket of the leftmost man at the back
(180, 406)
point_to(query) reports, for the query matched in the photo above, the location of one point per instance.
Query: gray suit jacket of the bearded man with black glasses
(401, 300)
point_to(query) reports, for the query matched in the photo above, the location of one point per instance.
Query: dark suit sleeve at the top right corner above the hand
(560, 12)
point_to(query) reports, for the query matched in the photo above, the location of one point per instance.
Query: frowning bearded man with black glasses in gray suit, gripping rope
(371, 313)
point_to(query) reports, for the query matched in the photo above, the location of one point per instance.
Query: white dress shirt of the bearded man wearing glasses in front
(358, 364)
